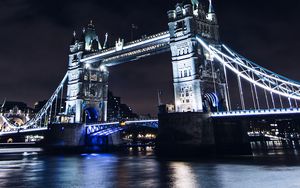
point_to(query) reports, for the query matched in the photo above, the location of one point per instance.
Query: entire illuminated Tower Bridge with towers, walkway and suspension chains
(201, 66)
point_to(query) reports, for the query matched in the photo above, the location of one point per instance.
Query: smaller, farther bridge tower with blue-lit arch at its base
(87, 82)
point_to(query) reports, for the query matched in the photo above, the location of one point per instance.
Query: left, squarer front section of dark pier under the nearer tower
(185, 134)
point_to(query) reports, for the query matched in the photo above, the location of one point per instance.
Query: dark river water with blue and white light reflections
(142, 168)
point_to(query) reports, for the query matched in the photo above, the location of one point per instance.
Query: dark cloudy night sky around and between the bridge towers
(35, 36)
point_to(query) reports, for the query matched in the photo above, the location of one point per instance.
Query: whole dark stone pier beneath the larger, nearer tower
(197, 134)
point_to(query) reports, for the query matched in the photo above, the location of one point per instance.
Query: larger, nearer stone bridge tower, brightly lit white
(199, 83)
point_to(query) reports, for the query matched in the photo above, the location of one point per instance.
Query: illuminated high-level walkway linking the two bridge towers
(153, 44)
